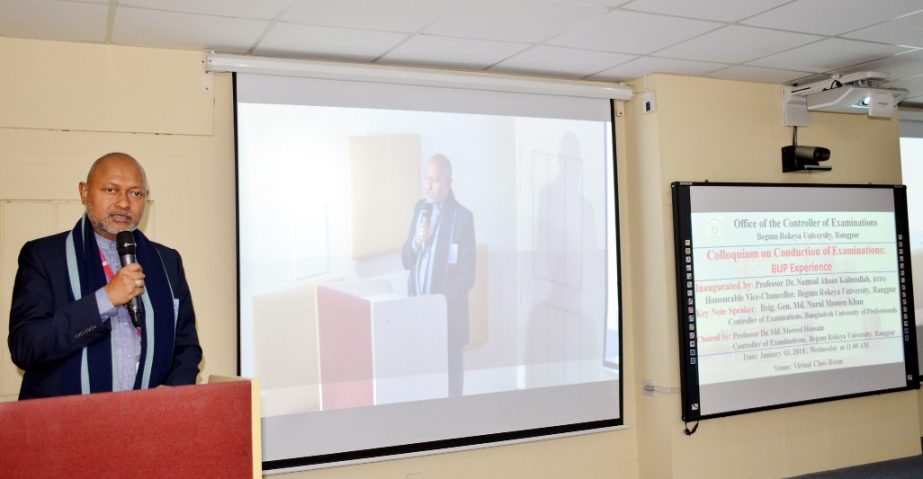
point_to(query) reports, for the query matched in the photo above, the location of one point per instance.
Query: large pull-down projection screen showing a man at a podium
(501, 324)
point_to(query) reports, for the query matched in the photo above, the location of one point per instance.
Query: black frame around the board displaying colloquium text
(688, 305)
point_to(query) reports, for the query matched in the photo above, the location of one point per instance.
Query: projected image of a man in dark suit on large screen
(440, 254)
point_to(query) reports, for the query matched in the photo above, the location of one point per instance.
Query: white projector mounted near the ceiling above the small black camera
(850, 93)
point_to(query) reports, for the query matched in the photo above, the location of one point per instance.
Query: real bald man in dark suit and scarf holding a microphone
(70, 328)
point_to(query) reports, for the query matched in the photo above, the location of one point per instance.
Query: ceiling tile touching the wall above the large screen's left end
(137, 26)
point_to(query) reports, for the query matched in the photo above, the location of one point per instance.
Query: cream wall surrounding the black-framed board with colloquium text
(716, 130)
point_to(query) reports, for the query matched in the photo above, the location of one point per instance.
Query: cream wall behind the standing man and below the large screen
(64, 104)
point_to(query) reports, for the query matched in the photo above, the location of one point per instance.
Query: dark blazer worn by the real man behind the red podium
(47, 328)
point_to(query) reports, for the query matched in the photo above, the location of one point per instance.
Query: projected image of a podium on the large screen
(379, 348)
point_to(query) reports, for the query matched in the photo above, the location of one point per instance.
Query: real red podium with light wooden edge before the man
(208, 430)
